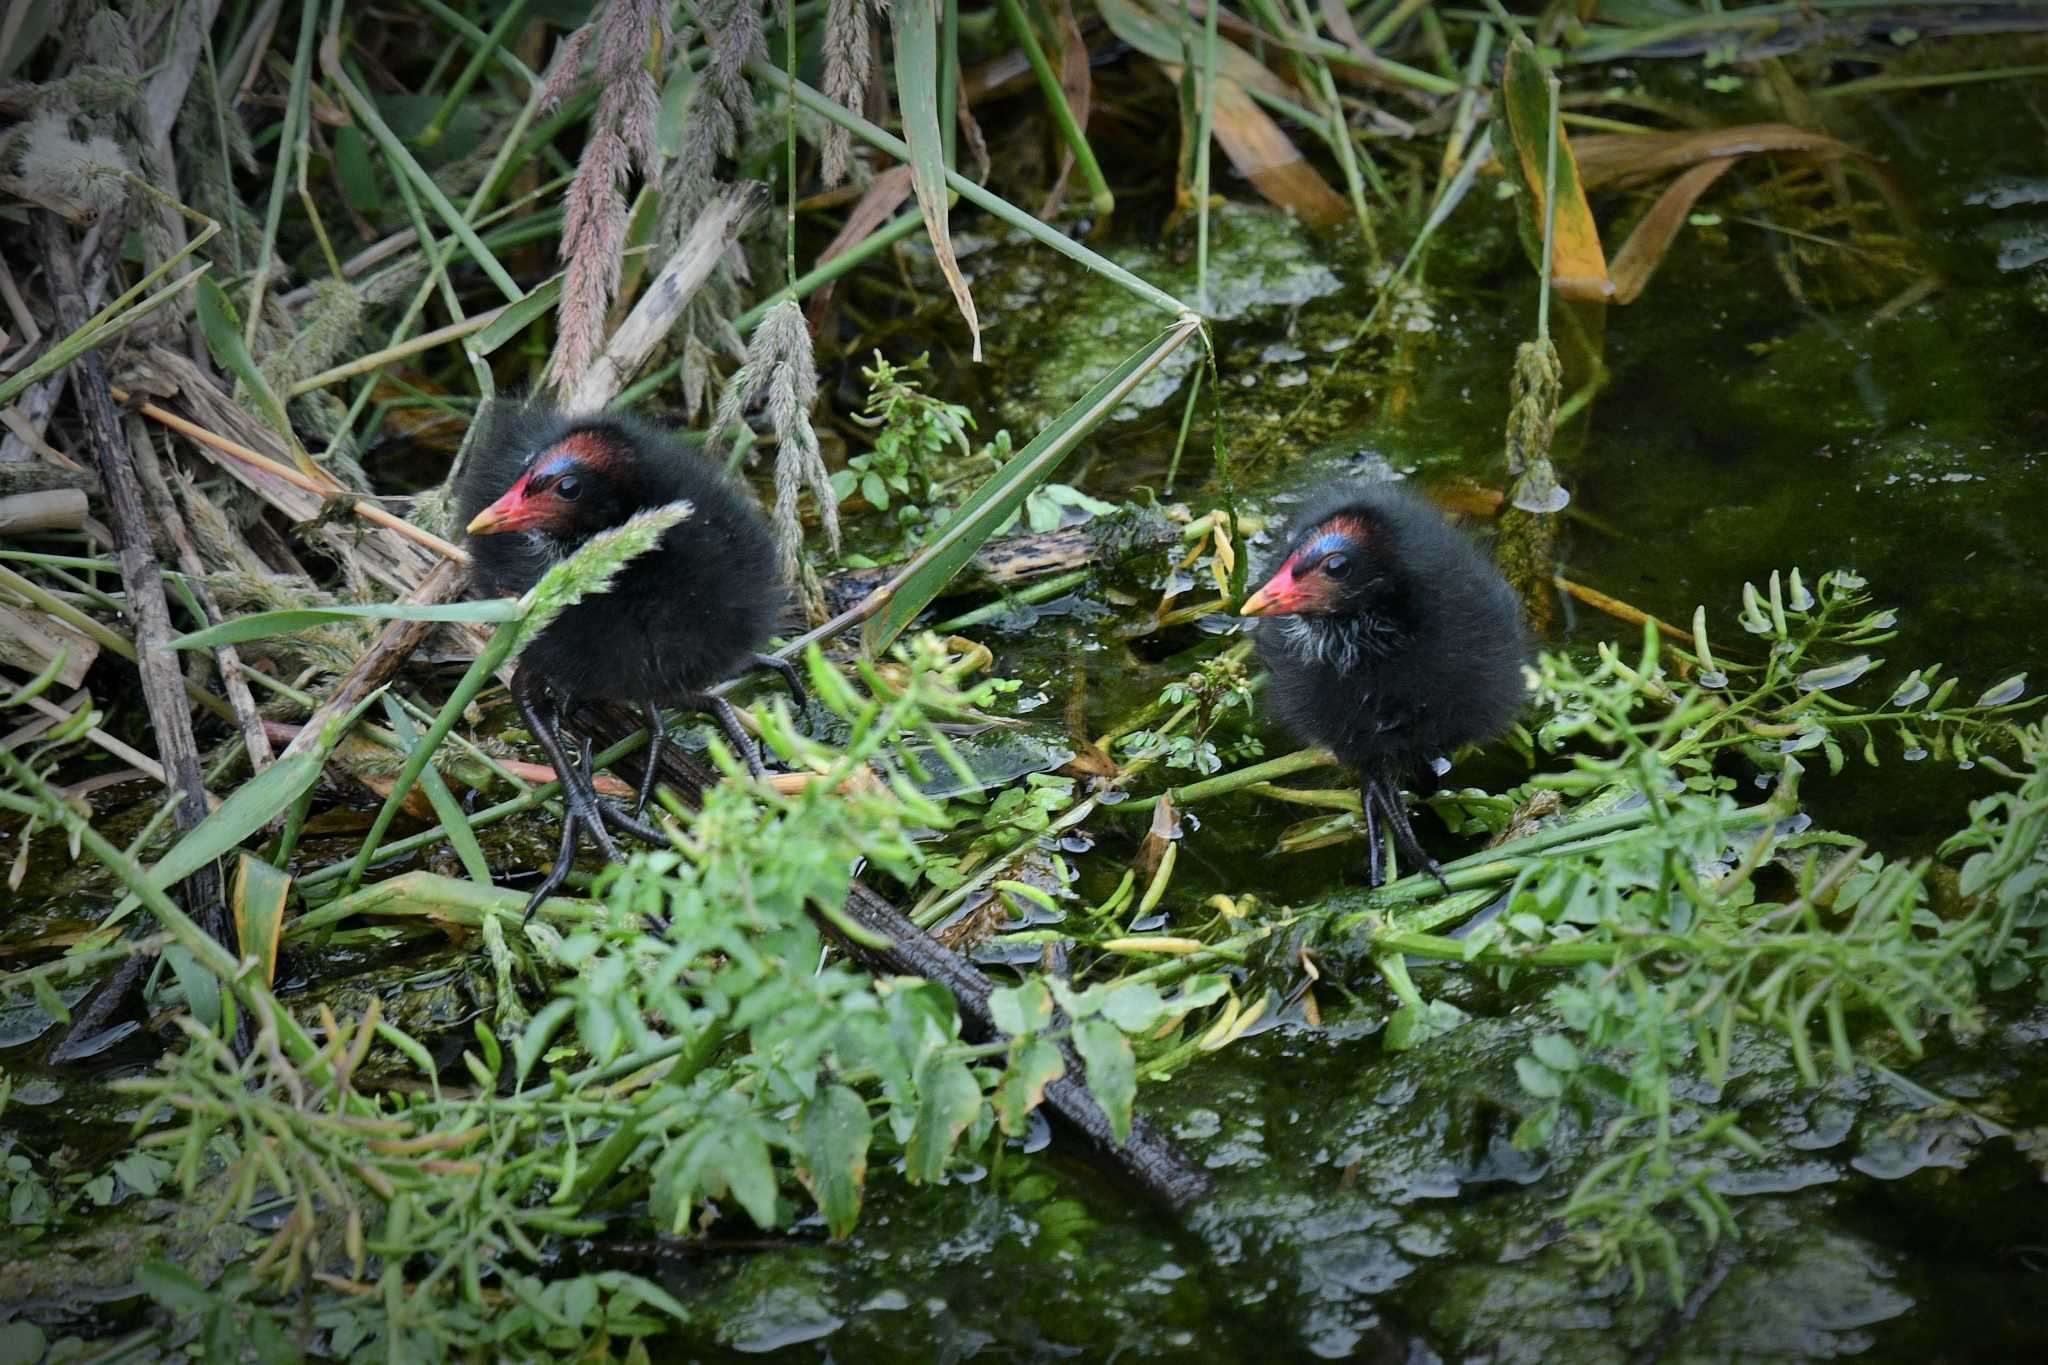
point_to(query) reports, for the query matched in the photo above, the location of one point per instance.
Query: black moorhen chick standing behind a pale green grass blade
(677, 621)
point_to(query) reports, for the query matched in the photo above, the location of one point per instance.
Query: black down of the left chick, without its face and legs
(679, 619)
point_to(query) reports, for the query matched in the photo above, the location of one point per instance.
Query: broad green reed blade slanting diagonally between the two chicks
(998, 500)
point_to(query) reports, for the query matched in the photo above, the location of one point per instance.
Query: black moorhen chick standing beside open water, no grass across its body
(1396, 642)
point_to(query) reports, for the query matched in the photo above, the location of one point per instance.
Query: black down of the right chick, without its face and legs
(1431, 660)
